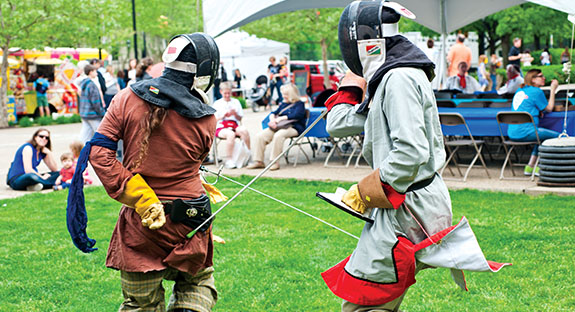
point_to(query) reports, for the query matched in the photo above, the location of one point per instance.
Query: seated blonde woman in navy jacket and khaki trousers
(290, 109)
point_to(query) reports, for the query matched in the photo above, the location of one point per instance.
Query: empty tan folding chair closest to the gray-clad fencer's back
(455, 119)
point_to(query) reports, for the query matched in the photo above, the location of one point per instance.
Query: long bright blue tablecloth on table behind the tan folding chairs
(482, 122)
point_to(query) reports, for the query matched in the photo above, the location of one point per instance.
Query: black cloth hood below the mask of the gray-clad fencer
(400, 52)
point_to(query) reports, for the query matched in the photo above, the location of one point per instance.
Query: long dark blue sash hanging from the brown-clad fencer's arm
(76, 217)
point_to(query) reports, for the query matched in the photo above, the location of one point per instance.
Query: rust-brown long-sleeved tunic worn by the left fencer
(171, 168)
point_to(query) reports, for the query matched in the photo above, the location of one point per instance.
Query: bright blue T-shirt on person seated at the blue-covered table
(531, 100)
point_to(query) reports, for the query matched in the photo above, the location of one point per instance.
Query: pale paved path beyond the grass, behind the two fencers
(63, 135)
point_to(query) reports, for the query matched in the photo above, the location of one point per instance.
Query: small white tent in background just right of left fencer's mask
(248, 53)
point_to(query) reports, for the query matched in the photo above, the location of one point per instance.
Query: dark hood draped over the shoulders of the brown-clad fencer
(169, 94)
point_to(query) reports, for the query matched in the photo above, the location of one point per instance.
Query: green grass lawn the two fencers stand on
(273, 255)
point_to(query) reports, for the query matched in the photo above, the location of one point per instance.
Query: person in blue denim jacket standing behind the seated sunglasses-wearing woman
(91, 106)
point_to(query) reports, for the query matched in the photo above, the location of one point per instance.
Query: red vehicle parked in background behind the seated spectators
(314, 76)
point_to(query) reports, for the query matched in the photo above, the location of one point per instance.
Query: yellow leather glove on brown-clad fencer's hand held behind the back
(140, 196)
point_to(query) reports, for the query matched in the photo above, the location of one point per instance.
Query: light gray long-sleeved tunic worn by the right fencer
(403, 139)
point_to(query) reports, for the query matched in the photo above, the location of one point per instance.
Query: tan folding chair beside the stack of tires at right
(515, 118)
